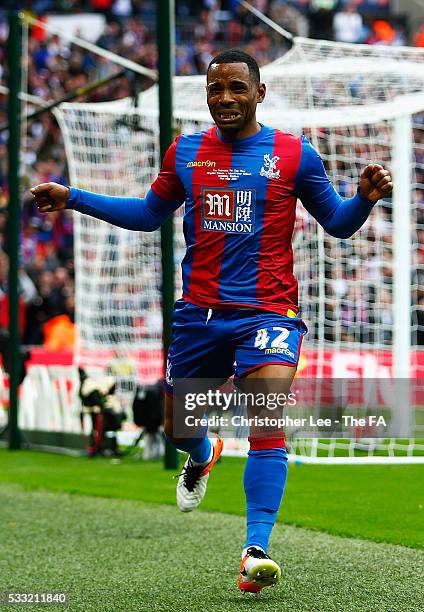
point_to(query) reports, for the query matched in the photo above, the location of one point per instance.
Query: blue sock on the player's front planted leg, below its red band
(264, 481)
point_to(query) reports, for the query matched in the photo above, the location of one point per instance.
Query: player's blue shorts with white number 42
(219, 343)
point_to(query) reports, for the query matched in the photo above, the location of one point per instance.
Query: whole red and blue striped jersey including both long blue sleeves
(240, 199)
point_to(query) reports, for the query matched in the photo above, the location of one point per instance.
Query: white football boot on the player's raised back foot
(192, 482)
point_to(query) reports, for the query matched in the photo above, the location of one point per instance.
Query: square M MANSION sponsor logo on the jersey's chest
(228, 210)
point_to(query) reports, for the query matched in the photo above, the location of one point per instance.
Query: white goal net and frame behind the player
(361, 298)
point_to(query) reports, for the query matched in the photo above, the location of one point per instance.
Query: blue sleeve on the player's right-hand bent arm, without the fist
(340, 218)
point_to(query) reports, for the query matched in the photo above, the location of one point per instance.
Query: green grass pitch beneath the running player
(348, 538)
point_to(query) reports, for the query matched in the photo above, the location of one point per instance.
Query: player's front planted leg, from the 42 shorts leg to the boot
(265, 372)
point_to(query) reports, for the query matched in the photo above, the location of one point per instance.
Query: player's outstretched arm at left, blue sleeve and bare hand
(143, 214)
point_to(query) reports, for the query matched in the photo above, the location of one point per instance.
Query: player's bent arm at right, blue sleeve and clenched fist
(340, 218)
